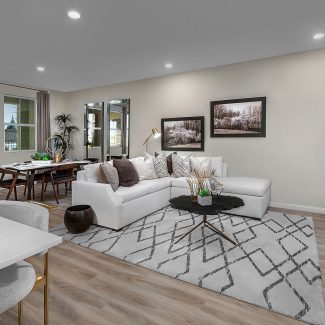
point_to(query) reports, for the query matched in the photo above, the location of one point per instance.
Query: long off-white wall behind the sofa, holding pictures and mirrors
(293, 153)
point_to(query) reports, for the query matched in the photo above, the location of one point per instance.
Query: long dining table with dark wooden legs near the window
(33, 167)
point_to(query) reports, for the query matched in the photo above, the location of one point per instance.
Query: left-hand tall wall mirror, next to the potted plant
(94, 131)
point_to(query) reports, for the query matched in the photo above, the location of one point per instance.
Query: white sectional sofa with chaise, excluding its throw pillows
(128, 204)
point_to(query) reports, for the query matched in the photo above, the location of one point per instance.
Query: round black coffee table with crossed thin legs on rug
(219, 203)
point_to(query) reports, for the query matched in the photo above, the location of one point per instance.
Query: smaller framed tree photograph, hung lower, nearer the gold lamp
(183, 134)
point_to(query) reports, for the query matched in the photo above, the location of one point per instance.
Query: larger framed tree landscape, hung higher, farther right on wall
(238, 117)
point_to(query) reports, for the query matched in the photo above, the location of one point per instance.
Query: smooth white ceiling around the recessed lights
(124, 40)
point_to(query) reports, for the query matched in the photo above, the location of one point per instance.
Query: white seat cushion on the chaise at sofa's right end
(245, 185)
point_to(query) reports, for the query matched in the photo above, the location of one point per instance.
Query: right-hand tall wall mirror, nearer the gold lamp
(118, 122)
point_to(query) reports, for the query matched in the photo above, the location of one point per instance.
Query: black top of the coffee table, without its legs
(219, 203)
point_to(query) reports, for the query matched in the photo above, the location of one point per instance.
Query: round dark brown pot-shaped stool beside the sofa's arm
(78, 218)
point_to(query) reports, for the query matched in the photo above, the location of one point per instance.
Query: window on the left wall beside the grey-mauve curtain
(19, 123)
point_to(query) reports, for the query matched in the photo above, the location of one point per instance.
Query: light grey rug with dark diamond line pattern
(275, 264)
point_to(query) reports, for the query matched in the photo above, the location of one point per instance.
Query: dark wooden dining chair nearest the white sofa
(62, 174)
